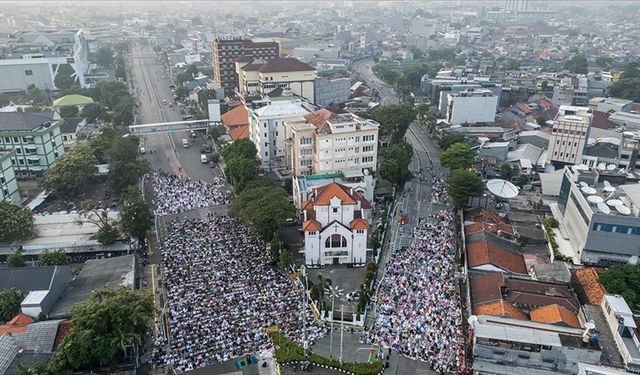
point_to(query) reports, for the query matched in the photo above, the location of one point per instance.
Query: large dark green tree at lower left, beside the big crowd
(103, 327)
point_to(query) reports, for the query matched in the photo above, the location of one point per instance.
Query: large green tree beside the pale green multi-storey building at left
(71, 172)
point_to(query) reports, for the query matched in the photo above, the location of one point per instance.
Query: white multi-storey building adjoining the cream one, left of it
(267, 130)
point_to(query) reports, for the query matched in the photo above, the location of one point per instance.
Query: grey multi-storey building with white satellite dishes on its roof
(598, 211)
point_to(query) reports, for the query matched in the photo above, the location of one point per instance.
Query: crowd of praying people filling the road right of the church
(418, 304)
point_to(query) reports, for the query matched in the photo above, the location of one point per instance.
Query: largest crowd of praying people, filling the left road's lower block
(223, 293)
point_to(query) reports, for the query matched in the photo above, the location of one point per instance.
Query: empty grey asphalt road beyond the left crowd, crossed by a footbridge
(152, 82)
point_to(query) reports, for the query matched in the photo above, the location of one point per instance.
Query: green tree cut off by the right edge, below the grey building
(625, 281)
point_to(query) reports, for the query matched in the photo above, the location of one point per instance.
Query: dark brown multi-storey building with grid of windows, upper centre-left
(225, 53)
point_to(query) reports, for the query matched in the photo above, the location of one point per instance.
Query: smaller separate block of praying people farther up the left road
(175, 194)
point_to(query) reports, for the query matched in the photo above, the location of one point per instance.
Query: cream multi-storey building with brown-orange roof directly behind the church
(325, 142)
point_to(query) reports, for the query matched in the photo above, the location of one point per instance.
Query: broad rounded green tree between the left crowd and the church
(264, 206)
